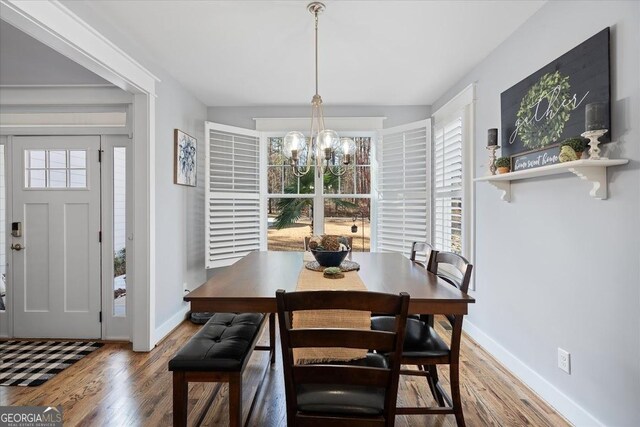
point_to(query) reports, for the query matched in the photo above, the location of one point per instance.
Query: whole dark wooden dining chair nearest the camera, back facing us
(361, 392)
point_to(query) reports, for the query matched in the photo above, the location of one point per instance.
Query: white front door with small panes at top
(56, 258)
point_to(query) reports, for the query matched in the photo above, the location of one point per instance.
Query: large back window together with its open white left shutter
(255, 202)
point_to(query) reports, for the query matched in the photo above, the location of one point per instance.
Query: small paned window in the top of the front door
(55, 169)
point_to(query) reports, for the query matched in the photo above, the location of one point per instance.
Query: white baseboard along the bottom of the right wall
(562, 403)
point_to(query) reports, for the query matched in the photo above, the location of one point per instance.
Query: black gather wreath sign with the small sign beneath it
(549, 106)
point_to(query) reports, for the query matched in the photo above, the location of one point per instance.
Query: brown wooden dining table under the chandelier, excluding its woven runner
(251, 283)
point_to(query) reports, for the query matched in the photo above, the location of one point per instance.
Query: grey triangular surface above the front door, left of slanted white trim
(26, 61)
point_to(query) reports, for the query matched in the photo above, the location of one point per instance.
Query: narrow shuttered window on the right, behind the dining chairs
(452, 176)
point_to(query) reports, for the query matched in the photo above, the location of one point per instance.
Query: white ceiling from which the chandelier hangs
(260, 53)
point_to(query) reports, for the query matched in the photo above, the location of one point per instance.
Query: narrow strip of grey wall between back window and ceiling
(243, 116)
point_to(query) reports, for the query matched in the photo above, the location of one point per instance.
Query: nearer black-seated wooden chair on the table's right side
(424, 348)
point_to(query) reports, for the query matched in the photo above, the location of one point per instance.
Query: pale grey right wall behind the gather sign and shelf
(555, 267)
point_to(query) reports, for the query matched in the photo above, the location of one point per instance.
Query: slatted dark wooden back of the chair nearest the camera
(341, 374)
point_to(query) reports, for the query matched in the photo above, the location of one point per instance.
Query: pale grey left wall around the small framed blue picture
(179, 210)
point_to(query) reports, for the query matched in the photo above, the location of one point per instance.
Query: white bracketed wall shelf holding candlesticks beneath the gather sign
(594, 171)
